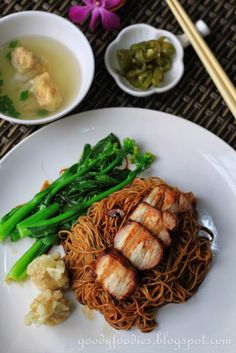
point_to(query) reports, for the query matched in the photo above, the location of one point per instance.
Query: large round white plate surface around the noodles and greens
(189, 157)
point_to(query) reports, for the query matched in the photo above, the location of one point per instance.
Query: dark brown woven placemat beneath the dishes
(195, 98)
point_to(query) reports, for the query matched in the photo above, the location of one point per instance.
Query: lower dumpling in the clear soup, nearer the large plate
(46, 92)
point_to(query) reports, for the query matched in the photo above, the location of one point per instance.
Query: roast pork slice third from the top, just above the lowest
(136, 243)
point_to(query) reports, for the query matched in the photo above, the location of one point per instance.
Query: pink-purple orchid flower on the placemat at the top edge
(99, 10)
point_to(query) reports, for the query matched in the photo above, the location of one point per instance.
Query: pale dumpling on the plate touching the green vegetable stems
(48, 272)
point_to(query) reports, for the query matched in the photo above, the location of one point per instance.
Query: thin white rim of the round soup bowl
(76, 101)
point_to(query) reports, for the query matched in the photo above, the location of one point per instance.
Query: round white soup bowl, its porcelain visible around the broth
(46, 24)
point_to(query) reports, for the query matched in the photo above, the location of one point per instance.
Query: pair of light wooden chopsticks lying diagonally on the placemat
(214, 69)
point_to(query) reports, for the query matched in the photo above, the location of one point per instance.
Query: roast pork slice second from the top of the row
(157, 222)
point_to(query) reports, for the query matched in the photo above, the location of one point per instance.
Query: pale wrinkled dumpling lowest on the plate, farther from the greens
(49, 307)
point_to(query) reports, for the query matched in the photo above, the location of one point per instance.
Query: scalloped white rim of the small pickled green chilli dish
(140, 93)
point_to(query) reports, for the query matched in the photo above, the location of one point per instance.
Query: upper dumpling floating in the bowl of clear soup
(25, 61)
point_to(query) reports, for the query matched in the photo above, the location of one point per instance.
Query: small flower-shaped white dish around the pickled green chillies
(135, 34)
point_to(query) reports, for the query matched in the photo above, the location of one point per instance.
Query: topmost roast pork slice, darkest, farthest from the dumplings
(173, 201)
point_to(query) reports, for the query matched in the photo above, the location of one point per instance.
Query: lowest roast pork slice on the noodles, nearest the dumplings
(115, 274)
